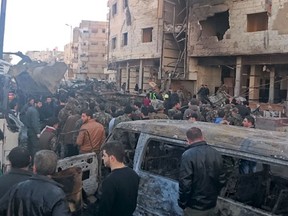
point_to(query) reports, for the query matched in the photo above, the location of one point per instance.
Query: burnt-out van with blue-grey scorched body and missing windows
(154, 148)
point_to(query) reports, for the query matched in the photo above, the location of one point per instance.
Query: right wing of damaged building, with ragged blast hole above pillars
(241, 43)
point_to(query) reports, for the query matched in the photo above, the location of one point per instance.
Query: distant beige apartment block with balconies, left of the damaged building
(86, 54)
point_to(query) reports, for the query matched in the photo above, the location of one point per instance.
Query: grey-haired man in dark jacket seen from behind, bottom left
(40, 195)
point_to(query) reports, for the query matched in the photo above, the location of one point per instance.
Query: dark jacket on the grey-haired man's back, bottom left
(36, 197)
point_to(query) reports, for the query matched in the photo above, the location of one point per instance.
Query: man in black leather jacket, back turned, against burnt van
(201, 176)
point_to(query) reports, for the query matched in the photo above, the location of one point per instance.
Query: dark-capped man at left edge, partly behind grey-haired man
(20, 160)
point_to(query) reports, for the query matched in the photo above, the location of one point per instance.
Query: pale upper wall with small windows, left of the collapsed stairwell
(138, 15)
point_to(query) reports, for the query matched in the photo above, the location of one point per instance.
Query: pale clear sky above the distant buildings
(36, 25)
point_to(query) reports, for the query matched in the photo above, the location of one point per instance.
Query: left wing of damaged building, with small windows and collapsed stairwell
(147, 42)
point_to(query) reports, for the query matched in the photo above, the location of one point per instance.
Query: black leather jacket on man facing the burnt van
(206, 175)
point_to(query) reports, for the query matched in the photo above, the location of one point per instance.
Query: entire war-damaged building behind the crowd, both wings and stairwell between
(183, 44)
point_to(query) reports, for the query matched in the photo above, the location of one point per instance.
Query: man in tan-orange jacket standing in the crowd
(91, 135)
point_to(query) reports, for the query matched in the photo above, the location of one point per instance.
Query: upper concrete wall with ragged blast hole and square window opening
(236, 40)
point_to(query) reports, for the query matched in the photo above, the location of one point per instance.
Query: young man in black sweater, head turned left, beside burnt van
(120, 187)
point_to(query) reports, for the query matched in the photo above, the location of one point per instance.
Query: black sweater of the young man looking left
(120, 190)
